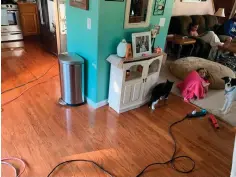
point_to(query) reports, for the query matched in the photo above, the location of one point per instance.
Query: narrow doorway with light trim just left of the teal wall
(53, 25)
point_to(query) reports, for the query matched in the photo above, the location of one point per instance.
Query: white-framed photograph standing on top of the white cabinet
(141, 44)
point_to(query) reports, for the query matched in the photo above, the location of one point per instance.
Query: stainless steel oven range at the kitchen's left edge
(10, 25)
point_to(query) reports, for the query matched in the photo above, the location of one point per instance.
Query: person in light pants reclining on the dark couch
(209, 37)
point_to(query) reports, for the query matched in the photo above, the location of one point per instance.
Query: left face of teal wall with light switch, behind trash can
(84, 42)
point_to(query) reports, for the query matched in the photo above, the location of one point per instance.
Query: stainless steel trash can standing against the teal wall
(72, 79)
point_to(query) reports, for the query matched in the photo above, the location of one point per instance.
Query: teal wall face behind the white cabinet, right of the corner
(111, 32)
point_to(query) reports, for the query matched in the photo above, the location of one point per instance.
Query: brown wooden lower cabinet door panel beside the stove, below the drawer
(29, 23)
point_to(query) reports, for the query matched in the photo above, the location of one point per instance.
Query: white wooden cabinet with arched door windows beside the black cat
(131, 81)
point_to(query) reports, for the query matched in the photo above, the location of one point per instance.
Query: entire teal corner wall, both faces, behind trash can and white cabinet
(97, 44)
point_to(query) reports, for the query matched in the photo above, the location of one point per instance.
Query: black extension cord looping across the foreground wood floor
(171, 161)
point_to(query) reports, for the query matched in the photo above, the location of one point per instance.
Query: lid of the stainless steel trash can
(70, 58)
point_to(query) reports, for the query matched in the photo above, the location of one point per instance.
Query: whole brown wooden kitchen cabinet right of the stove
(29, 18)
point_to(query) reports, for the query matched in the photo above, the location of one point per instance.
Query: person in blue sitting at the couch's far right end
(229, 29)
